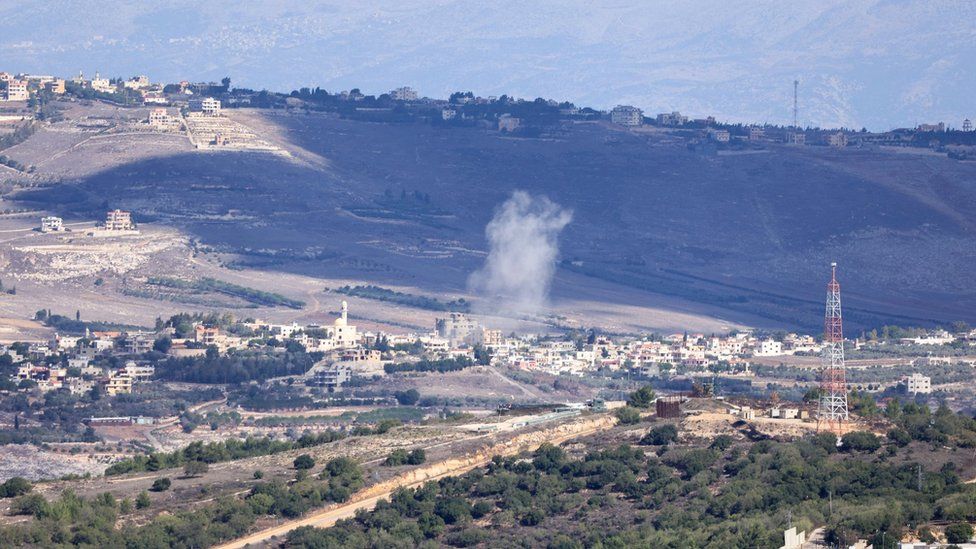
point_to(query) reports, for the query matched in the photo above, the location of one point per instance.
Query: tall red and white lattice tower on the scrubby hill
(833, 379)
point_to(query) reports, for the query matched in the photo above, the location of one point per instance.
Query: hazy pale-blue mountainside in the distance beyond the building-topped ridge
(874, 63)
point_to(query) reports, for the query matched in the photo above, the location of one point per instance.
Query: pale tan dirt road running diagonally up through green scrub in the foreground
(368, 498)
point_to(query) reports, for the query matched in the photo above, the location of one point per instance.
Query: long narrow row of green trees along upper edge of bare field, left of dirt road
(216, 452)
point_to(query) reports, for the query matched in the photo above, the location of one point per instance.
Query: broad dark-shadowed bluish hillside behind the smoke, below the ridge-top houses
(747, 235)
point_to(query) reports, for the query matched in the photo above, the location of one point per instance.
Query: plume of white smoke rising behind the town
(524, 241)
